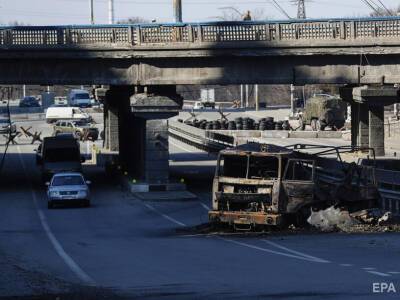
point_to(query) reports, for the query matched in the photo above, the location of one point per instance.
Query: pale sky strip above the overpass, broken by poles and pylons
(54, 12)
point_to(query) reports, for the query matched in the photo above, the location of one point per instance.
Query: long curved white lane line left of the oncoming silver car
(56, 244)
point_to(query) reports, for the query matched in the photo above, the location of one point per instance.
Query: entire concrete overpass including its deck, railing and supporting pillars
(144, 63)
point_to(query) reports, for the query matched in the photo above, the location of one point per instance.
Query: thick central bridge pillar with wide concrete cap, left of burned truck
(143, 130)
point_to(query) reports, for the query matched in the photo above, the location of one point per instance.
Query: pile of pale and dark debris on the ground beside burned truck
(367, 220)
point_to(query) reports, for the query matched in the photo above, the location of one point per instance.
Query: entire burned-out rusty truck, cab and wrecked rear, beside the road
(257, 185)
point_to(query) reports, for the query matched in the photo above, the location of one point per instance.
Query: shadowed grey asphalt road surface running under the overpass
(122, 247)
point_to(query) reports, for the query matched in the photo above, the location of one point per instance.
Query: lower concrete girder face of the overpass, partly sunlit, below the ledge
(216, 68)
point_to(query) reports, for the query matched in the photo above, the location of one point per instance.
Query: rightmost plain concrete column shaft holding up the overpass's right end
(376, 130)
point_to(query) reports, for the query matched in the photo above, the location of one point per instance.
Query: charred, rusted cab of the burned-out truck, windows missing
(258, 184)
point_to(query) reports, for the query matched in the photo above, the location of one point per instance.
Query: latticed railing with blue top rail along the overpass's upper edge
(214, 32)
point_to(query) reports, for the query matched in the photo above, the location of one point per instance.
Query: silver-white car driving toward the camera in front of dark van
(68, 188)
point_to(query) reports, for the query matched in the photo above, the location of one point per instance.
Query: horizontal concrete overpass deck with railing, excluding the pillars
(275, 52)
